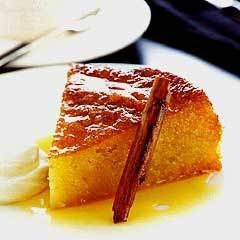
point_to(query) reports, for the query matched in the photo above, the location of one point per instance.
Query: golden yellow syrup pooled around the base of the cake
(150, 204)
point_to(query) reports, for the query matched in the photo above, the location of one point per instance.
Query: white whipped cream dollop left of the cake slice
(23, 172)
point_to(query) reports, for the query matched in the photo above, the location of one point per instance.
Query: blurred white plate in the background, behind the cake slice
(119, 23)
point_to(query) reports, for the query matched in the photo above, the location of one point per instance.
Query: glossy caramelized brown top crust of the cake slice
(99, 101)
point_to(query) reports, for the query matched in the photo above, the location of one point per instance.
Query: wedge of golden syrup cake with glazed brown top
(100, 111)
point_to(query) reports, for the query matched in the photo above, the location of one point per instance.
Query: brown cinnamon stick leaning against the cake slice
(142, 148)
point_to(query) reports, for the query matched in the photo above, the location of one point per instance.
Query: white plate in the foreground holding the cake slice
(29, 102)
